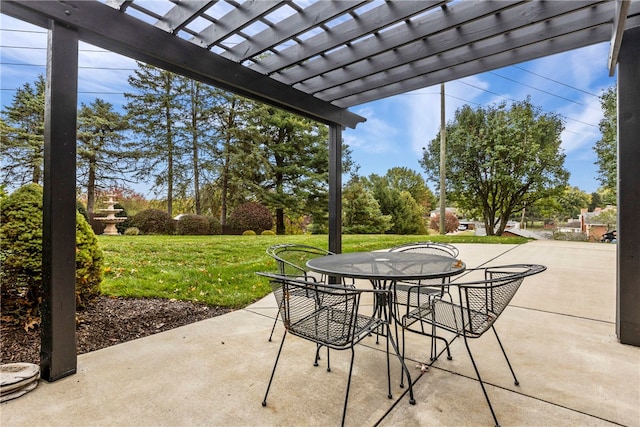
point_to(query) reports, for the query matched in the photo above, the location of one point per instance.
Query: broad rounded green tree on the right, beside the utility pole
(500, 159)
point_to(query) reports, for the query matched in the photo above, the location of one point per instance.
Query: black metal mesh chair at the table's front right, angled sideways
(473, 311)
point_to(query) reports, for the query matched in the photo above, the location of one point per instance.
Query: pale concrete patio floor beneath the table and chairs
(559, 333)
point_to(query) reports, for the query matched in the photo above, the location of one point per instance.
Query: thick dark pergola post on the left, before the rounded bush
(58, 355)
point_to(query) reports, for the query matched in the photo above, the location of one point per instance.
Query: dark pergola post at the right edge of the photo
(628, 256)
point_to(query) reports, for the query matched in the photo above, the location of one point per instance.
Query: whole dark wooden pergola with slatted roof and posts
(317, 59)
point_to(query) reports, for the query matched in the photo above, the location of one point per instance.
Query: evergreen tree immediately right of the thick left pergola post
(102, 157)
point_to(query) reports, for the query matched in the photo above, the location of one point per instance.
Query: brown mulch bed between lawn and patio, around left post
(106, 322)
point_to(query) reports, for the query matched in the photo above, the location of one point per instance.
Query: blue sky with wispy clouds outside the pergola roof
(397, 127)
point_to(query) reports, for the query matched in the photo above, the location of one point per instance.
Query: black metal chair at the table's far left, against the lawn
(292, 261)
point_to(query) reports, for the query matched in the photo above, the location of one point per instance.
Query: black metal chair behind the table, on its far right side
(427, 288)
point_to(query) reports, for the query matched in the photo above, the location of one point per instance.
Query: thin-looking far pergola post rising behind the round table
(335, 188)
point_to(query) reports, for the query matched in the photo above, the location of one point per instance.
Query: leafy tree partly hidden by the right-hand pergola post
(606, 148)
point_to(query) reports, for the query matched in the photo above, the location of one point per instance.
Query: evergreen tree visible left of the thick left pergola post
(22, 142)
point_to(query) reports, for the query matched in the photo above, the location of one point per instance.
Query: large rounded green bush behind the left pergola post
(21, 256)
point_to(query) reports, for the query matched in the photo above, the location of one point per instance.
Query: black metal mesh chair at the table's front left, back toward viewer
(328, 315)
